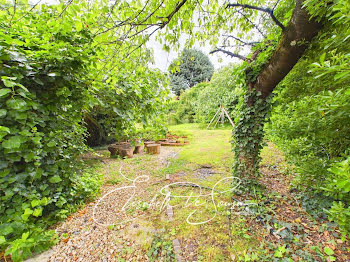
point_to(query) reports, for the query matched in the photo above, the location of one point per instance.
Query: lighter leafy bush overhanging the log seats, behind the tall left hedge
(132, 103)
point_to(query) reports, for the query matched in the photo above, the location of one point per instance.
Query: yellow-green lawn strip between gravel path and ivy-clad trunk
(213, 148)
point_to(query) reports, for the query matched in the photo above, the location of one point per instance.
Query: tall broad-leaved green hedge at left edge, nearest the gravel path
(43, 95)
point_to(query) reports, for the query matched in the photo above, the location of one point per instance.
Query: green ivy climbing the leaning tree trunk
(253, 110)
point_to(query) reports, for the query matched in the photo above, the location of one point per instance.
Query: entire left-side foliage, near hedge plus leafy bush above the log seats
(54, 73)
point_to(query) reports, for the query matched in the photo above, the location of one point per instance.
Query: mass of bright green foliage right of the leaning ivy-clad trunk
(310, 120)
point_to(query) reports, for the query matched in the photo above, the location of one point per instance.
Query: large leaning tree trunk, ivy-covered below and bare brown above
(248, 132)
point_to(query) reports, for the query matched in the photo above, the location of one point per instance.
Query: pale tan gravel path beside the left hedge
(100, 231)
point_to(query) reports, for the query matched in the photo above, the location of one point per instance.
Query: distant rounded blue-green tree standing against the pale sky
(191, 68)
